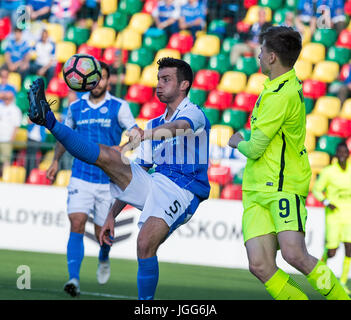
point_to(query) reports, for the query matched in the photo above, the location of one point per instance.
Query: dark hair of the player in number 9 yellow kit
(285, 42)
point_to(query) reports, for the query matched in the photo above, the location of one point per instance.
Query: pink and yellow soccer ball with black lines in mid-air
(82, 72)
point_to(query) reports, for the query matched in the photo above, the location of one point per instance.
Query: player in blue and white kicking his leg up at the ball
(176, 142)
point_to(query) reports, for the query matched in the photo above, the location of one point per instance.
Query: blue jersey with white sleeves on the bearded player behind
(102, 123)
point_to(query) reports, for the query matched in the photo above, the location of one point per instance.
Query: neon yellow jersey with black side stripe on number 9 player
(280, 114)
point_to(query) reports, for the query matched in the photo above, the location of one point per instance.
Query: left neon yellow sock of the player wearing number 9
(282, 287)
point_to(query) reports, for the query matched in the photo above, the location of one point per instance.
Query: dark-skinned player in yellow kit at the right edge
(333, 188)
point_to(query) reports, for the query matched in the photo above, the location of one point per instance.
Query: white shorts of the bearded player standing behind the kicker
(89, 198)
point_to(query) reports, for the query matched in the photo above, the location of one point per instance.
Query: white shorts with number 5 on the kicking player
(157, 196)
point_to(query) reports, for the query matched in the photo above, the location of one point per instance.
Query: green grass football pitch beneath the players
(48, 273)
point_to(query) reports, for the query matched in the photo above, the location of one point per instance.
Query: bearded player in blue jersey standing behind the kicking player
(100, 118)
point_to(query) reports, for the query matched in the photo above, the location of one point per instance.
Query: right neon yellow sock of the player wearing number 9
(323, 280)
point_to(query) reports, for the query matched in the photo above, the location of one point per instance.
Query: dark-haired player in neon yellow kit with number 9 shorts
(277, 176)
